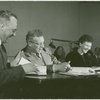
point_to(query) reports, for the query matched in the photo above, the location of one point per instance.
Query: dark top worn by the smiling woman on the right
(77, 60)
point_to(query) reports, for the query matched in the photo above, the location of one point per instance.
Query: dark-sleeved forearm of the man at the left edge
(11, 75)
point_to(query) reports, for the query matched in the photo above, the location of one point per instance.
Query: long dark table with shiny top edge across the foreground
(56, 86)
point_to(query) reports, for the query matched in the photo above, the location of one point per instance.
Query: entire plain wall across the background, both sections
(62, 20)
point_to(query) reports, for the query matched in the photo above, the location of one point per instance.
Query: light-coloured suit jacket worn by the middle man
(45, 59)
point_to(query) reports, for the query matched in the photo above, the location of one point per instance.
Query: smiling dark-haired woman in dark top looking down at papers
(82, 56)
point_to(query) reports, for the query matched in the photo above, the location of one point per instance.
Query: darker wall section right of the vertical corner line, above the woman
(90, 20)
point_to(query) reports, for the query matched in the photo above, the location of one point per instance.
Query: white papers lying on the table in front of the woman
(77, 71)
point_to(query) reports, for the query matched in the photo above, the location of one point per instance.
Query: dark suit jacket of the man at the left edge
(8, 75)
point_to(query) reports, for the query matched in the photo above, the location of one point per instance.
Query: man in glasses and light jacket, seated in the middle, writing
(36, 53)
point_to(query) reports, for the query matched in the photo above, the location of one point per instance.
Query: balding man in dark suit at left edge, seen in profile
(8, 75)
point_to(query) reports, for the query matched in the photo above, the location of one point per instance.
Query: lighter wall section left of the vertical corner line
(56, 19)
